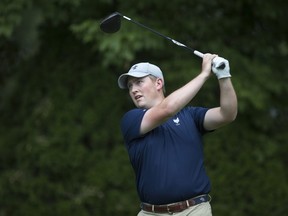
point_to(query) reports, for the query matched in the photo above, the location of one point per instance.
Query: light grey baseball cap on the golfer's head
(140, 70)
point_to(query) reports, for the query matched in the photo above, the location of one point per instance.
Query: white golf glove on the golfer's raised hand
(220, 67)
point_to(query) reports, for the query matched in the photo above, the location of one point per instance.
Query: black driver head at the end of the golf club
(111, 23)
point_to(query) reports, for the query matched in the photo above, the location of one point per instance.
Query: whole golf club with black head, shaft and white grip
(112, 24)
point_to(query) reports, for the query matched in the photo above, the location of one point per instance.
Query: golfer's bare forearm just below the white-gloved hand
(228, 99)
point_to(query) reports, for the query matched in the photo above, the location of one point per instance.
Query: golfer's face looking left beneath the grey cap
(145, 92)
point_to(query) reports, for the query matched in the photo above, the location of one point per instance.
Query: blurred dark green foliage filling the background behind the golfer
(61, 151)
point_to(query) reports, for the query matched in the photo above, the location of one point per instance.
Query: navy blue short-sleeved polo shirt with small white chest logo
(168, 161)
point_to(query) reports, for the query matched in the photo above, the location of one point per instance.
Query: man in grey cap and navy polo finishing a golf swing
(164, 137)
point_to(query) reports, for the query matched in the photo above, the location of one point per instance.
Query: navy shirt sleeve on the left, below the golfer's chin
(130, 124)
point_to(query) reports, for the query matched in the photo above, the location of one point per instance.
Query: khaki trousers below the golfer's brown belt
(202, 209)
